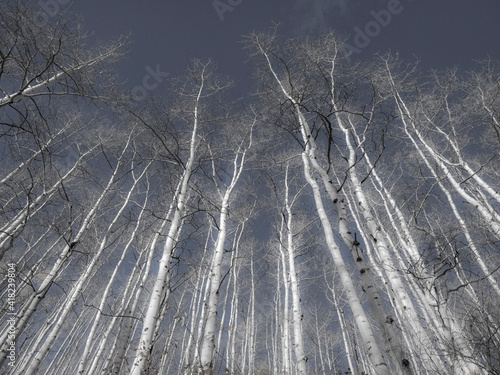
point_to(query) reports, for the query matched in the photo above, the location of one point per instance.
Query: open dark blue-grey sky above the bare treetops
(440, 33)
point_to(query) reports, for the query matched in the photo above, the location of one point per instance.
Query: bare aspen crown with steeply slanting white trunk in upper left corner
(48, 60)
